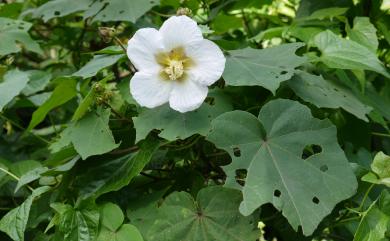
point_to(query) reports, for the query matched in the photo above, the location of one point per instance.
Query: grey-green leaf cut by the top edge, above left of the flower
(119, 10)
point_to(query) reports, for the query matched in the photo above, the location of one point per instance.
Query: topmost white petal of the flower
(179, 31)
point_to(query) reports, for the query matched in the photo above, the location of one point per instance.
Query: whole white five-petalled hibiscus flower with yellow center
(175, 64)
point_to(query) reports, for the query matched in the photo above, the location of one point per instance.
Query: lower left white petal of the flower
(149, 89)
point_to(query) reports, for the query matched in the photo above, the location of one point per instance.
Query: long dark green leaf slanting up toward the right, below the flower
(113, 175)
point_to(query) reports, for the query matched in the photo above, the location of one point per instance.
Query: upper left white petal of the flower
(143, 47)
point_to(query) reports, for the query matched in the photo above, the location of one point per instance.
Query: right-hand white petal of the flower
(209, 62)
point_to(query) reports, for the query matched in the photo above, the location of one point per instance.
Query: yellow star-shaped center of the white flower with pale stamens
(174, 64)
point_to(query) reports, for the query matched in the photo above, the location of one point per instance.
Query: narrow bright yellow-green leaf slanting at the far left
(64, 92)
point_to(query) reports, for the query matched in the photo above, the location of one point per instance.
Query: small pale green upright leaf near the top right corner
(364, 33)
